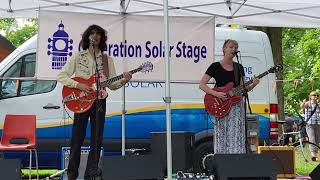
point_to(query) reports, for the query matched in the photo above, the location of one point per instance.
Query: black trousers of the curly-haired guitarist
(78, 135)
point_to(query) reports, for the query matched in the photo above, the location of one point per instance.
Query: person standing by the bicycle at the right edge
(312, 118)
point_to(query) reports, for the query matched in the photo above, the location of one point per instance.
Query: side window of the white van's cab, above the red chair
(24, 67)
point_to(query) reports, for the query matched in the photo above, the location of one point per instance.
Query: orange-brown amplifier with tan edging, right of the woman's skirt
(282, 159)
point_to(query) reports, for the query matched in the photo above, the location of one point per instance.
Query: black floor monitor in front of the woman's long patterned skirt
(243, 167)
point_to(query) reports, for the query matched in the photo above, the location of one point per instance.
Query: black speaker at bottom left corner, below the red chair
(10, 169)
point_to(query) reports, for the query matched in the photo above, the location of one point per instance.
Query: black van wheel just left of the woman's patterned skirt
(200, 153)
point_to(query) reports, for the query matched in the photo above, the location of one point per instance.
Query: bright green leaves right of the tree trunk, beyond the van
(301, 58)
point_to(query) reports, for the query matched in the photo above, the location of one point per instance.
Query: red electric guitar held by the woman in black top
(220, 108)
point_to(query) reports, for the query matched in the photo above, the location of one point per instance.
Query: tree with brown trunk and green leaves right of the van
(297, 50)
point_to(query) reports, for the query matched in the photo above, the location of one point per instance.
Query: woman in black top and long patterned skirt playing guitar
(229, 131)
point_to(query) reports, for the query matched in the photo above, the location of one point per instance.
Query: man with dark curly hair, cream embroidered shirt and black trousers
(83, 65)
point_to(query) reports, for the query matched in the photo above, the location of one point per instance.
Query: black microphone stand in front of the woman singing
(246, 97)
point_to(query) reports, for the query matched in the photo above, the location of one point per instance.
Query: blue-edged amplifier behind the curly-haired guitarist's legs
(65, 154)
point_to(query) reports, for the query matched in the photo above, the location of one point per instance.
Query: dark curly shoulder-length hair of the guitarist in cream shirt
(85, 37)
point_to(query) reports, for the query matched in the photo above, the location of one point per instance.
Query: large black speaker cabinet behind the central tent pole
(182, 143)
